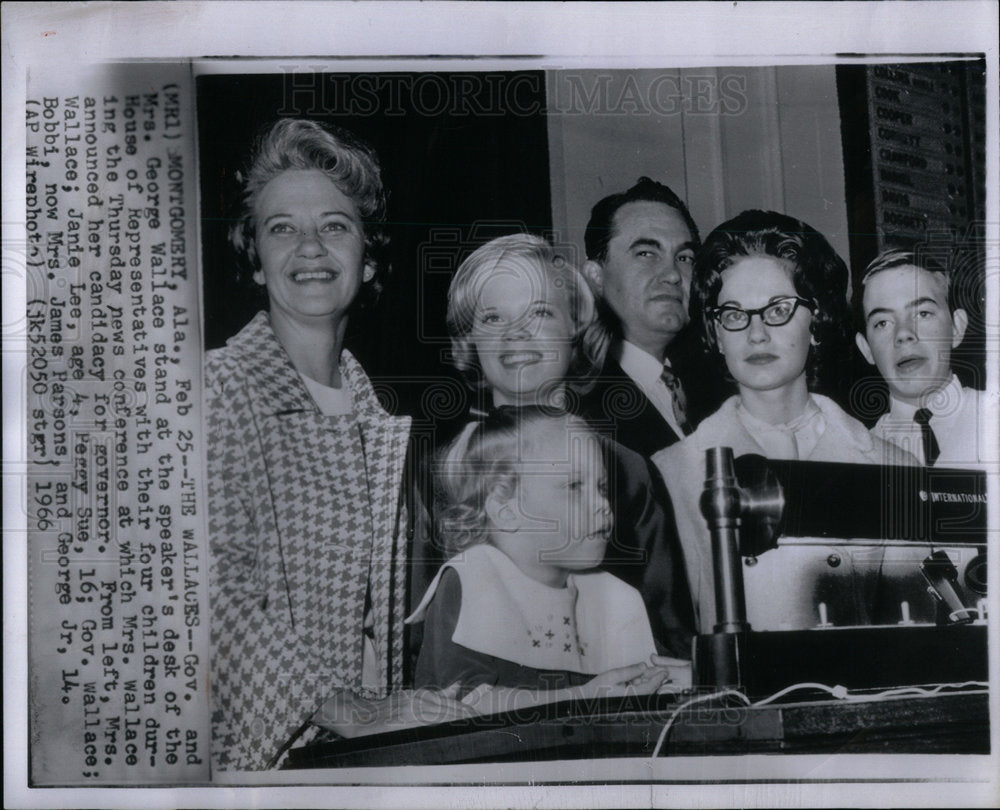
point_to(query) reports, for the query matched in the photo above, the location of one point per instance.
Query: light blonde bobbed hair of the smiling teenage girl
(589, 338)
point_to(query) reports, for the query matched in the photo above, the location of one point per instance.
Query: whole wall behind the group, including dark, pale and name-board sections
(472, 155)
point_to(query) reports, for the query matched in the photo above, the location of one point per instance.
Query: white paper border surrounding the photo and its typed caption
(438, 36)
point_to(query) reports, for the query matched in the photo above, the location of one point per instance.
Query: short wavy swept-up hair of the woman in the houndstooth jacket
(350, 163)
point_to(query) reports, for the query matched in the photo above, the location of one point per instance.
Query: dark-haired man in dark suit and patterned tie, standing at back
(640, 254)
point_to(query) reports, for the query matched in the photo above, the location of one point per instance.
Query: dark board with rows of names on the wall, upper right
(914, 154)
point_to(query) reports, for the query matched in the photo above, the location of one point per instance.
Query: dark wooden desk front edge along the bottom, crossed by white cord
(943, 724)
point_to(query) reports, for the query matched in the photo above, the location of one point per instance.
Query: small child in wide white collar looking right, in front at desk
(519, 615)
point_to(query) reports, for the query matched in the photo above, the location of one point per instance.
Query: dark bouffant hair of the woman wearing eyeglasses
(818, 274)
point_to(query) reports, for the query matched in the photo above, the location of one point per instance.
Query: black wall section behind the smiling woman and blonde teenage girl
(464, 158)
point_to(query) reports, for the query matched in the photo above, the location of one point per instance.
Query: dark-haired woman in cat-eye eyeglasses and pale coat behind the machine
(770, 294)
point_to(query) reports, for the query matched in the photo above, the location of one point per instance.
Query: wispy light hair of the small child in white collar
(485, 459)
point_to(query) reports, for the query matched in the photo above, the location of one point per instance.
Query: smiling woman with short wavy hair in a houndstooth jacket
(308, 527)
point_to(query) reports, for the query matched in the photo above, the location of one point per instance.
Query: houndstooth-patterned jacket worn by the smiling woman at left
(305, 519)
